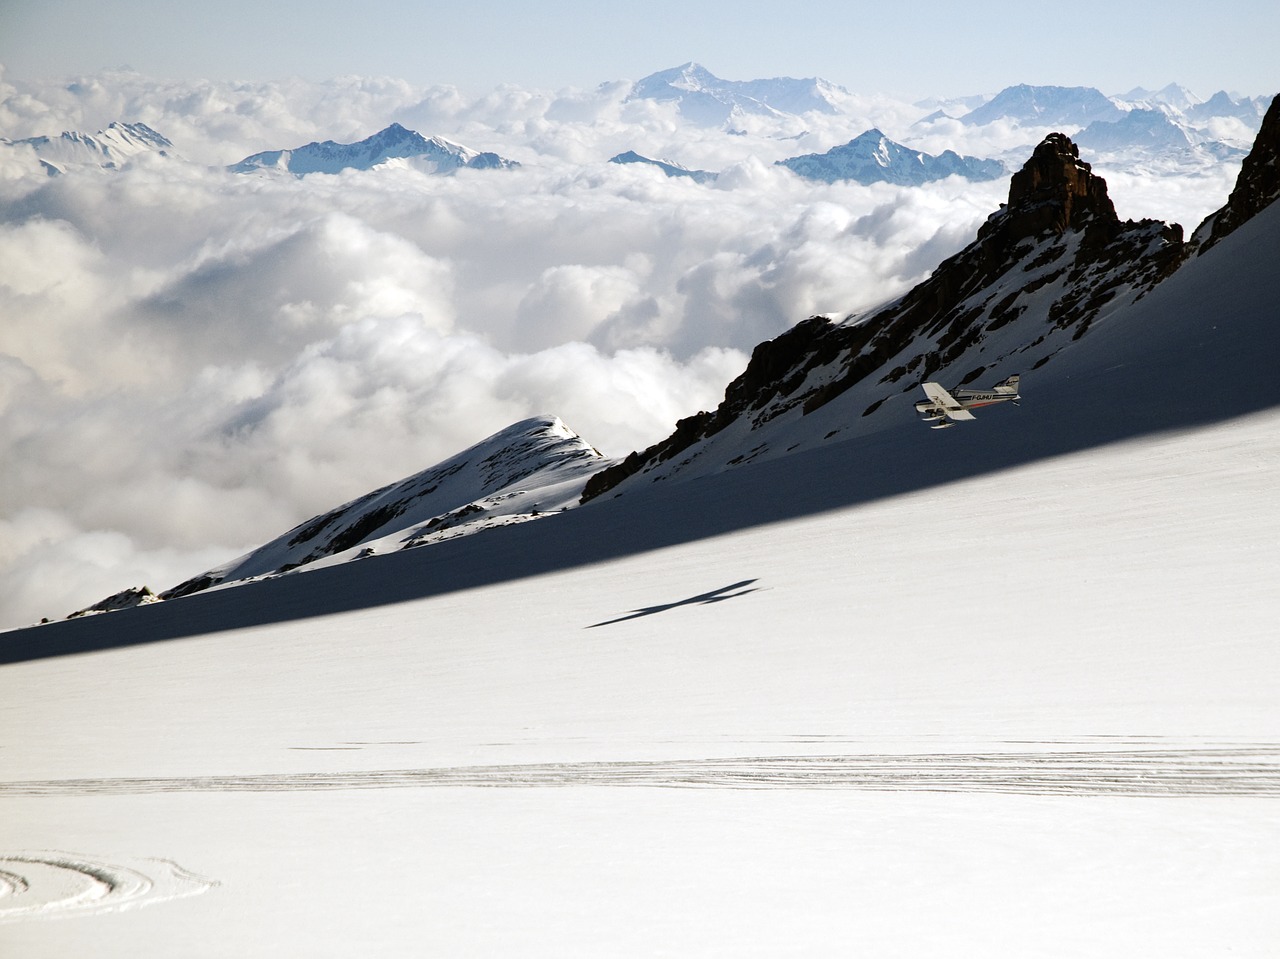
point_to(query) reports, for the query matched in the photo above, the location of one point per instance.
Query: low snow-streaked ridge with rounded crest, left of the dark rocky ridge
(532, 468)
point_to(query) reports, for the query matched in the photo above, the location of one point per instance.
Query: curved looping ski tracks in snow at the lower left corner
(60, 885)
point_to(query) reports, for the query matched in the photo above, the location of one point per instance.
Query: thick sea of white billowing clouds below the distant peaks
(193, 362)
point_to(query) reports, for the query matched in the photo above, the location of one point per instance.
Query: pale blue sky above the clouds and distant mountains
(925, 48)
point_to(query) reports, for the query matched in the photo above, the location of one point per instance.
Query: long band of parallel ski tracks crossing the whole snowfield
(1244, 771)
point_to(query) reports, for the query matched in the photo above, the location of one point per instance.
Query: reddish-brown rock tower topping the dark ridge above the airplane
(1055, 191)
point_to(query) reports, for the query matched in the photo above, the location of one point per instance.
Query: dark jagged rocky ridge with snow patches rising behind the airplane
(1040, 272)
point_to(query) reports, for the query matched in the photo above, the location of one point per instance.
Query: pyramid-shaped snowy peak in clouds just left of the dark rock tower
(874, 158)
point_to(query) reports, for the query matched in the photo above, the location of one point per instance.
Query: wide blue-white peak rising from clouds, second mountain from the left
(392, 145)
